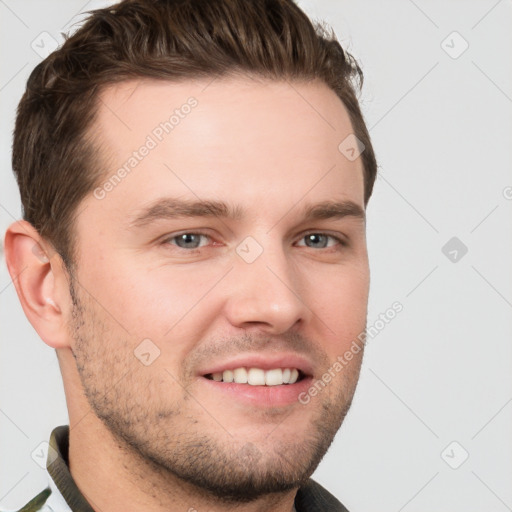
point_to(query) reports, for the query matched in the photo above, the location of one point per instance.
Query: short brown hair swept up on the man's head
(53, 153)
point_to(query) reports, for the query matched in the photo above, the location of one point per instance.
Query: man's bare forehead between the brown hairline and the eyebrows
(260, 141)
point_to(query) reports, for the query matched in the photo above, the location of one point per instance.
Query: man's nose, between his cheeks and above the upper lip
(265, 294)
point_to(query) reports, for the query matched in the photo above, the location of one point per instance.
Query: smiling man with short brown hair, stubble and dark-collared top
(194, 178)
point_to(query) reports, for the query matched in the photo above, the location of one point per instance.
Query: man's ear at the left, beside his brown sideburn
(39, 276)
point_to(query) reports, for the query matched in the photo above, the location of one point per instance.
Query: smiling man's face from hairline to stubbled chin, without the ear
(271, 276)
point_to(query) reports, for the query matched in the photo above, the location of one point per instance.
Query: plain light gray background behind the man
(440, 371)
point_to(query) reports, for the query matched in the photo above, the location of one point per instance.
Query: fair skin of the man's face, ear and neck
(168, 439)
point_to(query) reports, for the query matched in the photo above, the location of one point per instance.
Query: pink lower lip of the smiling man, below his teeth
(263, 396)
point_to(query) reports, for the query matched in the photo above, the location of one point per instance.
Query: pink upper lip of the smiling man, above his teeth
(260, 360)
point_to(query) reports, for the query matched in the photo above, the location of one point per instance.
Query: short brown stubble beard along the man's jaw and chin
(162, 439)
